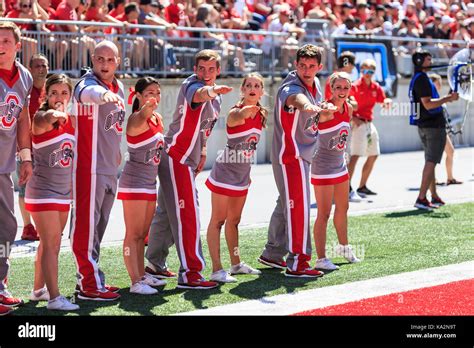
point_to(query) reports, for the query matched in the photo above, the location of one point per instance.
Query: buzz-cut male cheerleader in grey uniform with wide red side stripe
(99, 99)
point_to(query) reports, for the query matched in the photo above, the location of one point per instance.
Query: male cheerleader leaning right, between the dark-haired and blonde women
(197, 110)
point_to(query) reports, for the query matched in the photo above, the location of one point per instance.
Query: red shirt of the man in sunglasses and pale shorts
(366, 96)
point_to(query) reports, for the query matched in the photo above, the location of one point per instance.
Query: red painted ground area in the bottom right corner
(456, 298)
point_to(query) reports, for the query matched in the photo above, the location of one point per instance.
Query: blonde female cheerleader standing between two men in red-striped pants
(230, 177)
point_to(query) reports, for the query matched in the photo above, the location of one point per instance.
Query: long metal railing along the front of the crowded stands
(155, 50)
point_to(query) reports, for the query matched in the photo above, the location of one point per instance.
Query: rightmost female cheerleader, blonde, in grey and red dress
(330, 176)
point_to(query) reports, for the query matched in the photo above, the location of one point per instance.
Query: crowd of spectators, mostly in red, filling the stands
(437, 19)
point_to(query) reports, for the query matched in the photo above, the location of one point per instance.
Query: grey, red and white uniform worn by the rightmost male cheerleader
(294, 143)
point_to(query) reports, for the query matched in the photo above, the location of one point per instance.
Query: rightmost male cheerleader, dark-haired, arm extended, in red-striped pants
(296, 121)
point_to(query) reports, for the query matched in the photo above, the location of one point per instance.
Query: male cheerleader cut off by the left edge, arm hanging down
(15, 88)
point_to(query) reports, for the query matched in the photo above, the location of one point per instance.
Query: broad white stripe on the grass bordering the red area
(338, 294)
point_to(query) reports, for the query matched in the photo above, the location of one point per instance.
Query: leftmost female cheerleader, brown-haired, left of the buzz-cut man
(48, 194)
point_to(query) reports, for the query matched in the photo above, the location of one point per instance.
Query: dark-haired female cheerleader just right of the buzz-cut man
(137, 184)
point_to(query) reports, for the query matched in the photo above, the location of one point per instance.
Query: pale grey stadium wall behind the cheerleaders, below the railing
(396, 135)
